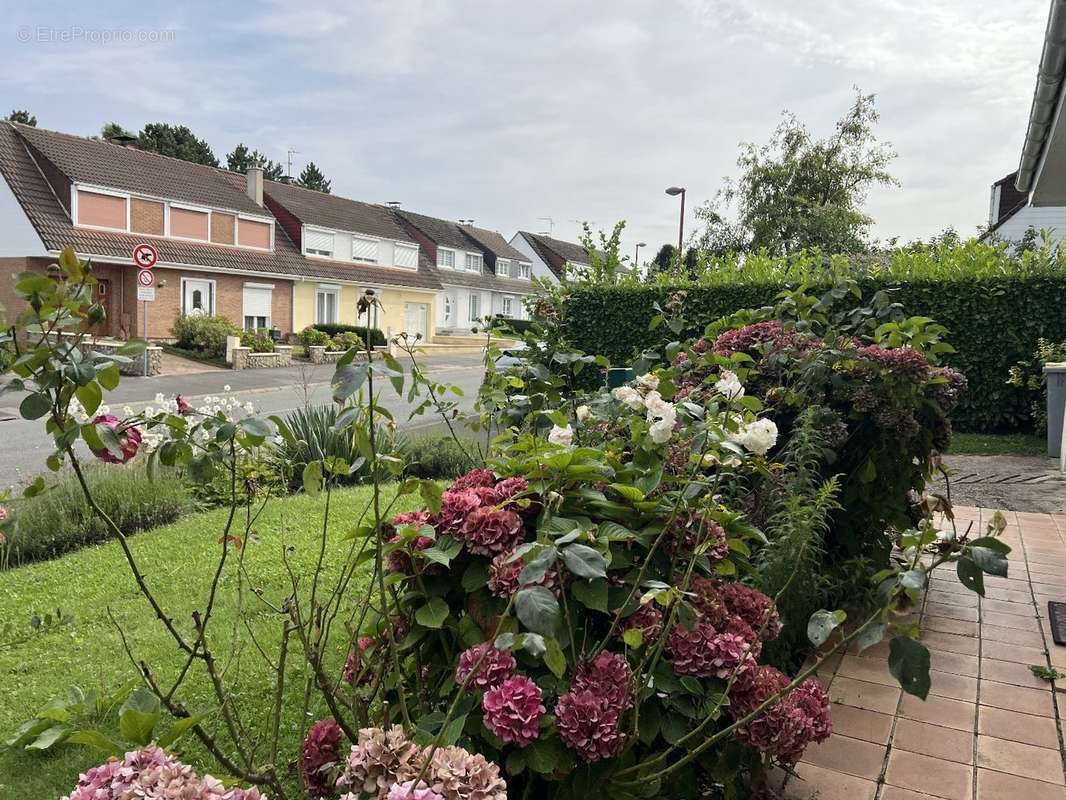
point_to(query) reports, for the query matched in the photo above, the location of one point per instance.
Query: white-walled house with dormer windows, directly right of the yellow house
(480, 274)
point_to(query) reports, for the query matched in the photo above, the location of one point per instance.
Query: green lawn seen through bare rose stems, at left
(179, 562)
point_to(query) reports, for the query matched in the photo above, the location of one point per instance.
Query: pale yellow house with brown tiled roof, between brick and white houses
(352, 248)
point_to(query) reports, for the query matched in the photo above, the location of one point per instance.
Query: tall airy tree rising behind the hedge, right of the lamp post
(798, 191)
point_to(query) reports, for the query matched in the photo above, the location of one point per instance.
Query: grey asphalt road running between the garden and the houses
(24, 446)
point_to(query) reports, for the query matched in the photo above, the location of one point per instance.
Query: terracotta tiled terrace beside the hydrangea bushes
(990, 730)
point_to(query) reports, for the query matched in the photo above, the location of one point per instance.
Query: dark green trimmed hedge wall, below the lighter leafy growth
(993, 323)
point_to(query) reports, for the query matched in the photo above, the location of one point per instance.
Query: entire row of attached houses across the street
(263, 253)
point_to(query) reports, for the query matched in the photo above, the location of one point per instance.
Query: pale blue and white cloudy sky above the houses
(510, 113)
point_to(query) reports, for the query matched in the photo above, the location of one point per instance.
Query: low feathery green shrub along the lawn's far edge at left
(60, 520)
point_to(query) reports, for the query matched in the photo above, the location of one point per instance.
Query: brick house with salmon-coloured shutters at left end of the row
(221, 251)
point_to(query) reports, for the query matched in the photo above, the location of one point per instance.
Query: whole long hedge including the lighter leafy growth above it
(995, 306)
